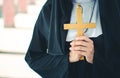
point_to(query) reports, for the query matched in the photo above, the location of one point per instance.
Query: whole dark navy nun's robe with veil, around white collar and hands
(47, 54)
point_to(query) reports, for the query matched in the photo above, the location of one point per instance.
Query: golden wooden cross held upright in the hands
(80, 25)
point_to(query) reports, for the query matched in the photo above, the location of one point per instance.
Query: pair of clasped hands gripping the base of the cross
(81, 46)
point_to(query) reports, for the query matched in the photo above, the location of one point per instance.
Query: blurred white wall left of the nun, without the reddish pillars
(17, 40)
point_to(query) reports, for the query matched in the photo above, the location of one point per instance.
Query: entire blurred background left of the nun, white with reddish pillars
(17, 19)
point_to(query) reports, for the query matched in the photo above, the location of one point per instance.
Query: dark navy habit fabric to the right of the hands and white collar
(107, 64)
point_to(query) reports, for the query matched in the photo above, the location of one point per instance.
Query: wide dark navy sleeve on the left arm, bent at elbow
(46, 65)
